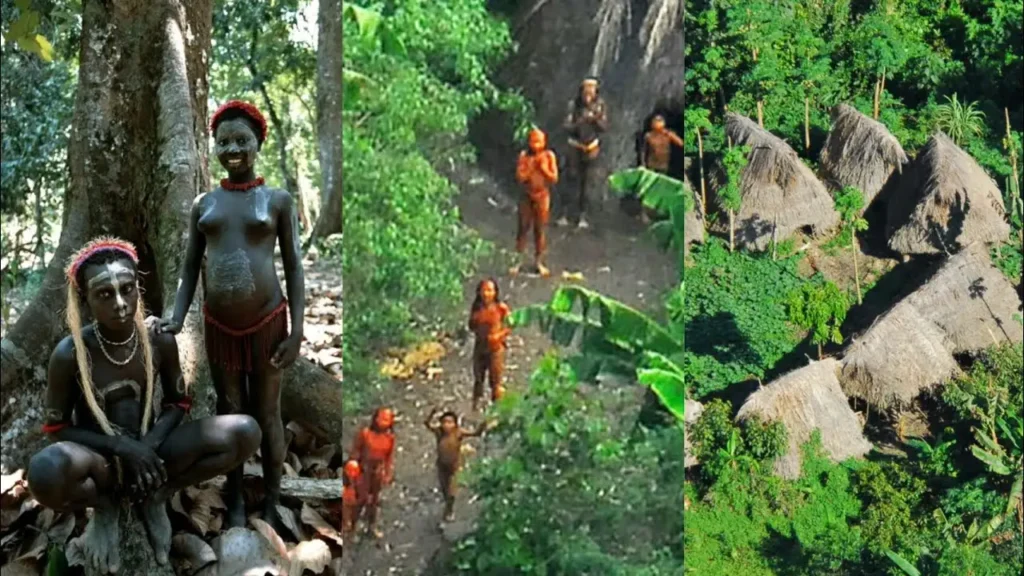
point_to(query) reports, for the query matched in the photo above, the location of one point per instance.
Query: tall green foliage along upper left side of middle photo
(425, 67)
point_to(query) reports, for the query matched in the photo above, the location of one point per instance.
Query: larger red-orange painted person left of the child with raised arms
(374, 450)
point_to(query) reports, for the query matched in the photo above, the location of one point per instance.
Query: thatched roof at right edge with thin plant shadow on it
(971, 302)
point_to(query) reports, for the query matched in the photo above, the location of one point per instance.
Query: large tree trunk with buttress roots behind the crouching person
(139, 158)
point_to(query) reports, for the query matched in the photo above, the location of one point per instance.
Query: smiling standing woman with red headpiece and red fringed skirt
(237, 227)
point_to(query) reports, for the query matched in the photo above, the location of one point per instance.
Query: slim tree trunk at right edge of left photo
(329, 61)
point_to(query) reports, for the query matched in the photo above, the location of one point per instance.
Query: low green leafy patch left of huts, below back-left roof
(735, 316)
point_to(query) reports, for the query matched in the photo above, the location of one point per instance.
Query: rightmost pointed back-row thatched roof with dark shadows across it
(946, 200)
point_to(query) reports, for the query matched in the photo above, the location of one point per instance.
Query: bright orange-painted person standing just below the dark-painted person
(537, 170)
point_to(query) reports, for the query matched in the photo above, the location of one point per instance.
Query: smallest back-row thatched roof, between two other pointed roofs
(861, 153)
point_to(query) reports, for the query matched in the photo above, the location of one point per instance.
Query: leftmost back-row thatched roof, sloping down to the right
(781, 194)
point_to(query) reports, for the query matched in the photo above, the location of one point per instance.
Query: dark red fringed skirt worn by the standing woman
(242, 350)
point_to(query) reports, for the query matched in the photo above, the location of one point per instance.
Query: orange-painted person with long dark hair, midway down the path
(487, 320)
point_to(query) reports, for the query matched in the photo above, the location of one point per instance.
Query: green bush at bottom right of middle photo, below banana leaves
(575, 491)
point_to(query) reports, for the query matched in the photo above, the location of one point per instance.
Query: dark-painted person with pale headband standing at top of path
(586, 121)
